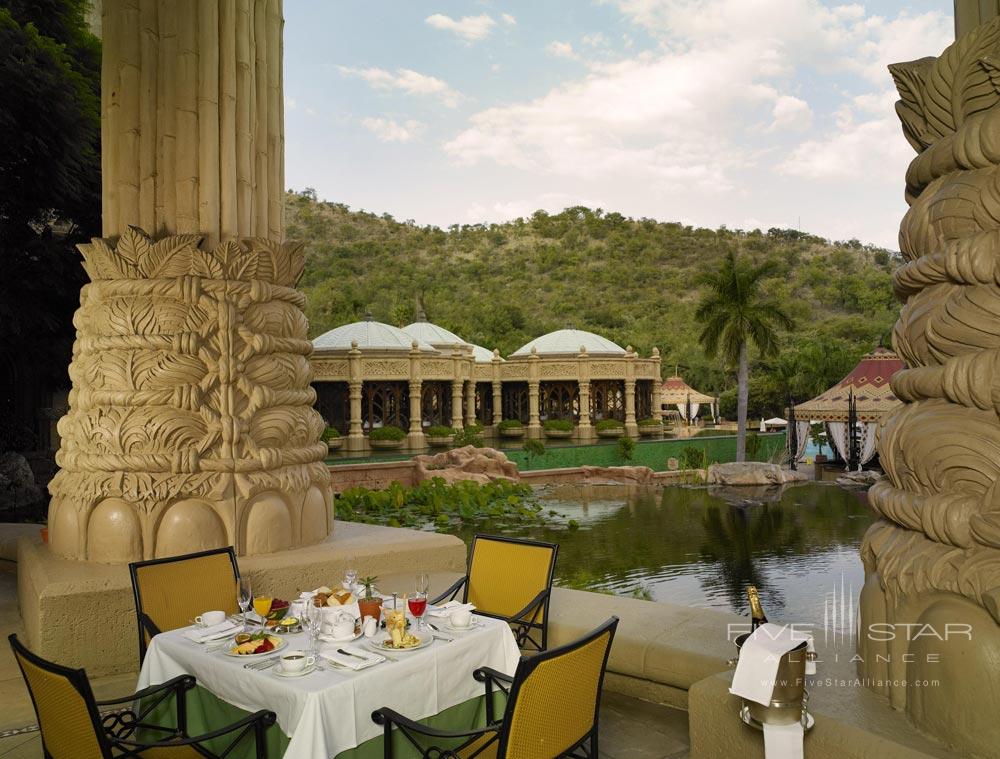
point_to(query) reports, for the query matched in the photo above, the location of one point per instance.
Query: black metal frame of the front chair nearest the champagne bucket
(585, 748)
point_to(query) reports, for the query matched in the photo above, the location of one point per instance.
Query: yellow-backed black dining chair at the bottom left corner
(74, 725)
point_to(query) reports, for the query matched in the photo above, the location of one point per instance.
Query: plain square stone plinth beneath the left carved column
(64, 602)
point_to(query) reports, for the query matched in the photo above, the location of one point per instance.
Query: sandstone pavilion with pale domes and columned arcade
(368, 375)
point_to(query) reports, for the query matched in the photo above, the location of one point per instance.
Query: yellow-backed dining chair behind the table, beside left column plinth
(171, 592)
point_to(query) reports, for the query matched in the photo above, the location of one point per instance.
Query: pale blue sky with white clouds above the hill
(748, 113)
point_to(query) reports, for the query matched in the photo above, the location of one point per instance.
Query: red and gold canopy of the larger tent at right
(869, 381)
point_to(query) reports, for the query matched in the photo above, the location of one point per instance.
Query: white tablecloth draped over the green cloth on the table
(329, 711)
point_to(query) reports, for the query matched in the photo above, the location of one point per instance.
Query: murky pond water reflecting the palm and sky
(701, 546)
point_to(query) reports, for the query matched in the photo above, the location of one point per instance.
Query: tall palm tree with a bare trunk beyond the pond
(735, 311)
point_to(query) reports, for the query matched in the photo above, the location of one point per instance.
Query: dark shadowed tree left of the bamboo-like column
(50, 180)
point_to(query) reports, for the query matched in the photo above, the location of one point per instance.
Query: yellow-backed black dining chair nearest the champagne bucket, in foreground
(552, 708)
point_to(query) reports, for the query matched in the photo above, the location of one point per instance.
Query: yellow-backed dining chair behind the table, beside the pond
(510, 579)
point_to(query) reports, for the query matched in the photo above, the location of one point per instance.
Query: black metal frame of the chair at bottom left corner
(116, 727)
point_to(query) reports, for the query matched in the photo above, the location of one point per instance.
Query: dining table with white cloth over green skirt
(327, 712)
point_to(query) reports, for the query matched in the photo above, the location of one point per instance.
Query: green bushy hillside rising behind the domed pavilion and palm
(632, 280)
